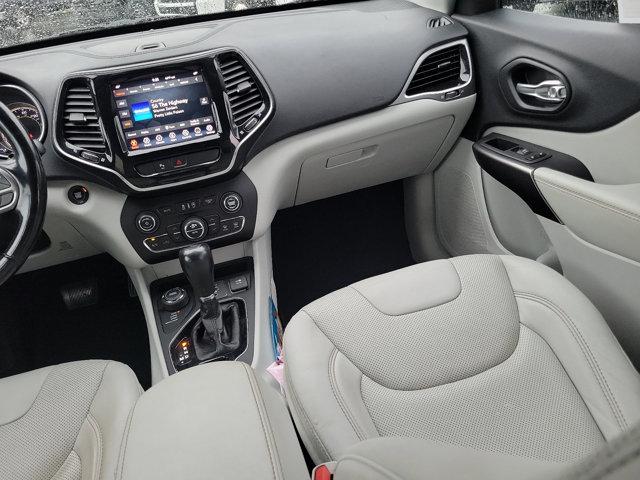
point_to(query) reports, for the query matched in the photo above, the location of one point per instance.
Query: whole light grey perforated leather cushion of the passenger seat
(499, 354)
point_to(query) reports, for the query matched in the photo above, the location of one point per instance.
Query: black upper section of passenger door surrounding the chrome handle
(595, 58)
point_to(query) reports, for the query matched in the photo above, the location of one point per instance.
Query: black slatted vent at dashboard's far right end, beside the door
(439, 71)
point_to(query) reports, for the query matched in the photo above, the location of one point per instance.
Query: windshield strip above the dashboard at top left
(25, 21)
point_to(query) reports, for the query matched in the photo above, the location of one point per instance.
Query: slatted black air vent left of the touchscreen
(80, 124)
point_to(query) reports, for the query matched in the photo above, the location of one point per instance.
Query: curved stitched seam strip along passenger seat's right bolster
(589, 355)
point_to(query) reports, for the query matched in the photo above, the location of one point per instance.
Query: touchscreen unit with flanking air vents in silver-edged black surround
(161, 124)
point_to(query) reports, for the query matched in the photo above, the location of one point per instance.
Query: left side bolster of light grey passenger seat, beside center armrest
(324, 426)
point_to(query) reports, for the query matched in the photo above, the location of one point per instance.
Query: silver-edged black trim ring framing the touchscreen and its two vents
(152, 63)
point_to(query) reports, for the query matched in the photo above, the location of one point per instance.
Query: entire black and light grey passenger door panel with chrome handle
(596, 235)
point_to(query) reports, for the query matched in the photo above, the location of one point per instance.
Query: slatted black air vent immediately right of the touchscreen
(243, 93)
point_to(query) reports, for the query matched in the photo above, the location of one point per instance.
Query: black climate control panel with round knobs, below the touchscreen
(221, 214)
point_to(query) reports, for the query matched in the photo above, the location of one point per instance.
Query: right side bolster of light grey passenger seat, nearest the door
(582, 341)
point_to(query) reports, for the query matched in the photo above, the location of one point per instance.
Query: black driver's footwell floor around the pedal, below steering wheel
(38, 330)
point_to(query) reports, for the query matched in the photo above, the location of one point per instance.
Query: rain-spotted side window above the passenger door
(598, 10)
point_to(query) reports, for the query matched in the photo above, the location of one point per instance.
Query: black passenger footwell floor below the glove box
(322, 246)
